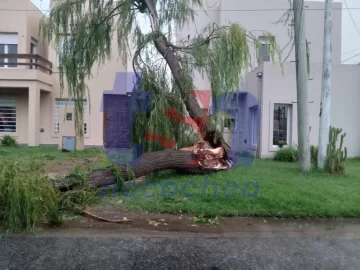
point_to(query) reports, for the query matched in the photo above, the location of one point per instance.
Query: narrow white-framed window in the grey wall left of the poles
(281, 130)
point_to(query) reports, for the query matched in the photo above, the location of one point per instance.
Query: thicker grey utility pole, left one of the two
(302, 85)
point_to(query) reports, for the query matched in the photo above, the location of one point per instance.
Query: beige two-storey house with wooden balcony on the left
(32, 108)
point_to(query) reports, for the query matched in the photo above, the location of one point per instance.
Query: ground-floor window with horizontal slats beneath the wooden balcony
(7, 115)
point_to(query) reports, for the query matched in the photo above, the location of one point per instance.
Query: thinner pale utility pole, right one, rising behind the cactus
(325, 104)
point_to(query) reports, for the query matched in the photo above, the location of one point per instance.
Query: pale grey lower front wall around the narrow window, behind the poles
(278, 88)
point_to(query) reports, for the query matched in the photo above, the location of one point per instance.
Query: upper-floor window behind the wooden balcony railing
(8, 45)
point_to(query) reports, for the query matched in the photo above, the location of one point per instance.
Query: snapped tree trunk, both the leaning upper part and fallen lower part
(194, 160)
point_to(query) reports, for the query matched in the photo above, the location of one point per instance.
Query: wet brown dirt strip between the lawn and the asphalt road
(166, 225)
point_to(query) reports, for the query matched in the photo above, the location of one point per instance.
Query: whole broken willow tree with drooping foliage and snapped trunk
(222, 53)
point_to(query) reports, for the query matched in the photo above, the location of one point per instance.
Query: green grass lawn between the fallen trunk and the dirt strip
(282, 192)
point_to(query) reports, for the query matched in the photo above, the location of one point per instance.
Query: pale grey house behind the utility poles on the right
(273, 88)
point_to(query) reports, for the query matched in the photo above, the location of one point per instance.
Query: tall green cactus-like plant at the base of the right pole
(335, 156)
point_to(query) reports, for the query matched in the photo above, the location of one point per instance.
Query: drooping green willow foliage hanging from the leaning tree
(222, 53)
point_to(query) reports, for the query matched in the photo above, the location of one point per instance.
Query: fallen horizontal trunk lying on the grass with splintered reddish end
(200, 159)
